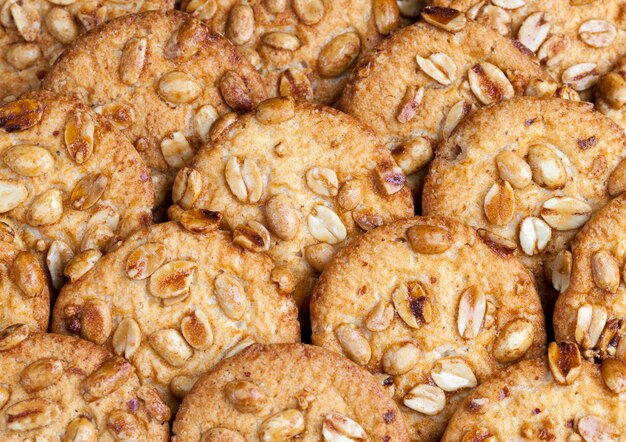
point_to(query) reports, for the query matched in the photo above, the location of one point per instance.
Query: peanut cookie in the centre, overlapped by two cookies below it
(297, 180)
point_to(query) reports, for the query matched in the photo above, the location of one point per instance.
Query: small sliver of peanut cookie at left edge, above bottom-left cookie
(24, 294)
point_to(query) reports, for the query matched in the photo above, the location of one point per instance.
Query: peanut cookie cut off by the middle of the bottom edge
(280, 392)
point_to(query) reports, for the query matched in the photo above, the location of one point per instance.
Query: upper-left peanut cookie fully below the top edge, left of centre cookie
(166, 79)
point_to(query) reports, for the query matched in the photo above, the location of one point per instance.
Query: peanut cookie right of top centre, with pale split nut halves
(415, 87)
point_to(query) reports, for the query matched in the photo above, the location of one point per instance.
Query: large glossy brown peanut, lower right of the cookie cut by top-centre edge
(339, 54)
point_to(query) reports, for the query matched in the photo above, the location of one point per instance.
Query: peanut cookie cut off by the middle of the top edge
(304, 48)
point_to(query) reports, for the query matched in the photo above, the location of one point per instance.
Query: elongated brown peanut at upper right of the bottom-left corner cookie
(110, 376)
